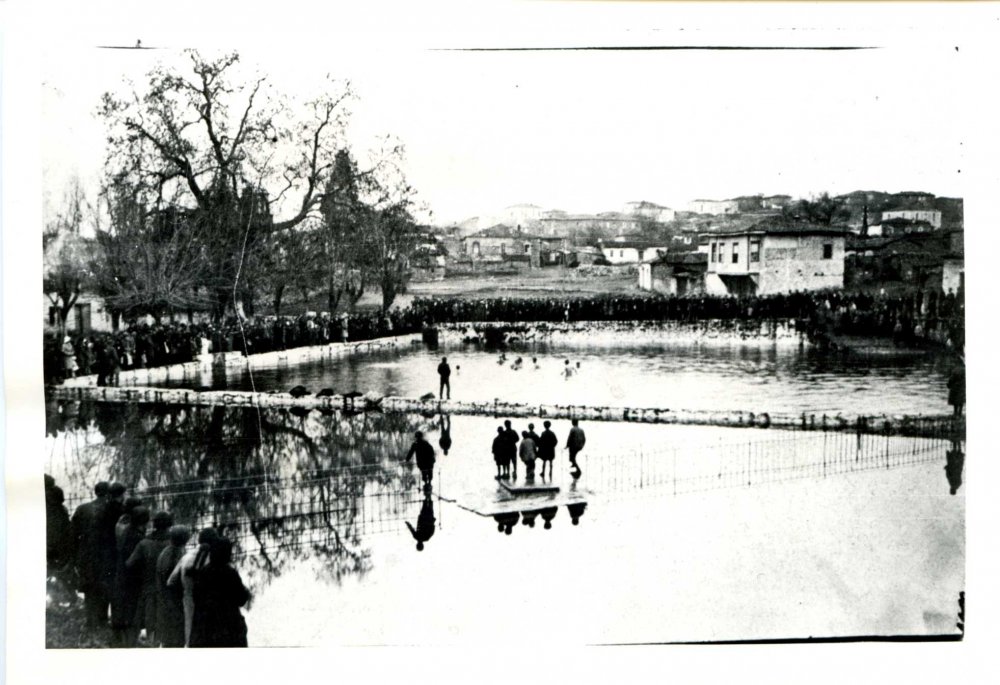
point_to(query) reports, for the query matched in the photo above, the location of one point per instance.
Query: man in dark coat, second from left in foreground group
(87, 537)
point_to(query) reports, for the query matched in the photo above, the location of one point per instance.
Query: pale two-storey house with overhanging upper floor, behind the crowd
(775, 256)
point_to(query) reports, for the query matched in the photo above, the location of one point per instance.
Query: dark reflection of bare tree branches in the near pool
(285, 488)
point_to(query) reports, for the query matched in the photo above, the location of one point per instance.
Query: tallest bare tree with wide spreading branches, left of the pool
(228, 150)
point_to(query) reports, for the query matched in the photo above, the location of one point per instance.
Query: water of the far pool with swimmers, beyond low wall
(755, 378)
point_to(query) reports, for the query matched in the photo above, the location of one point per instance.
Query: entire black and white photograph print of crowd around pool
(518, 341)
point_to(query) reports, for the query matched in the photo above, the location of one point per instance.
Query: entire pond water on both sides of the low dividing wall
(688, 533)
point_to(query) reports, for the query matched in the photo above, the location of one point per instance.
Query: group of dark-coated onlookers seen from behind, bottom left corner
(139, 587)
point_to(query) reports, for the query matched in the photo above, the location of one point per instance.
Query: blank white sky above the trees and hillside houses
(588, 131)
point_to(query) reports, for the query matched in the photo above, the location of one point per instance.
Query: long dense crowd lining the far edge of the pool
(914, 318)
